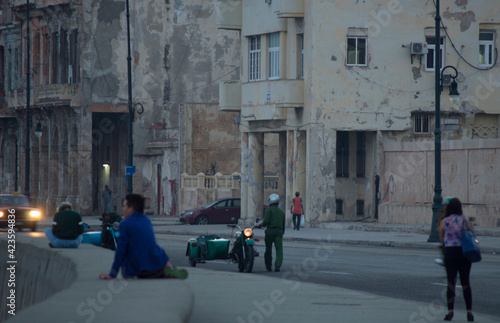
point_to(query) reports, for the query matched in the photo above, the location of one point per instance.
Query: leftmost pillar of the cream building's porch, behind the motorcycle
(255, 176)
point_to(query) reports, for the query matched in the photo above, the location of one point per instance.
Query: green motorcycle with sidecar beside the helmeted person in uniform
(215, 247)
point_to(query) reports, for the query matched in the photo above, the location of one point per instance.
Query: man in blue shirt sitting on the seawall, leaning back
(137, 253)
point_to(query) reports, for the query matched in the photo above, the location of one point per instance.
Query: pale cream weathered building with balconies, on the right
(352, 102)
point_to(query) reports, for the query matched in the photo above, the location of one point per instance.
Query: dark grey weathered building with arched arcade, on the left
(79, 96)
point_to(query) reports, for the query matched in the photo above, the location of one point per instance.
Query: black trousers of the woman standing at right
(455, 263)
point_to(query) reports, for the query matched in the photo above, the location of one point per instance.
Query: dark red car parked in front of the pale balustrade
(217, 212)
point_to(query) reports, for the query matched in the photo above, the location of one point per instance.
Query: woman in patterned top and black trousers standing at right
(450, 232)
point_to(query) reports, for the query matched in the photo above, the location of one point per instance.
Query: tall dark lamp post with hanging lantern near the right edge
(437, 206)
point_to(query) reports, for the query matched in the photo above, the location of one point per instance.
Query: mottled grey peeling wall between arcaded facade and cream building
(178, 57)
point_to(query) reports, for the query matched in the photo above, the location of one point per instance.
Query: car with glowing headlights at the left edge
(17, 207)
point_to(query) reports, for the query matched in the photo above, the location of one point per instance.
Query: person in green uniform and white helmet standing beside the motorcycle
(274, 220)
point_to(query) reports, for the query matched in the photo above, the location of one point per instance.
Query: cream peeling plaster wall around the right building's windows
(379, 98)
